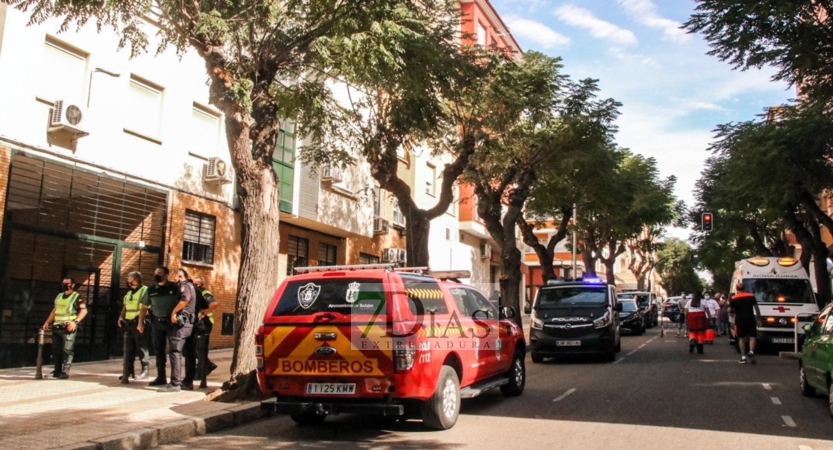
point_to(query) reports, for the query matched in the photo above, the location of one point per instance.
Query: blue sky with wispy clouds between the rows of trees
(673, 93)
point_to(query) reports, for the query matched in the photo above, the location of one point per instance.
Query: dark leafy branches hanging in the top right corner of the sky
(792, 36)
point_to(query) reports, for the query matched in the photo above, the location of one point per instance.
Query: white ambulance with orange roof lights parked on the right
(784, 294)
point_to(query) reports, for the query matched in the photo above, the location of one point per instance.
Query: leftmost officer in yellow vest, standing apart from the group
(68, 312)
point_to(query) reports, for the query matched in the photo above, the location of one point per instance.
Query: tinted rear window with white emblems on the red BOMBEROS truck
(343, 296)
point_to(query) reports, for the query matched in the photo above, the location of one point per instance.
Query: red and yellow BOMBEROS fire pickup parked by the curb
(387, 341)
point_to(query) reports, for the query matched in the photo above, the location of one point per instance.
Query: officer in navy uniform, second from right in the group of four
(182, 324)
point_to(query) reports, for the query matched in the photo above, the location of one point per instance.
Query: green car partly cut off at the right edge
(815, 365)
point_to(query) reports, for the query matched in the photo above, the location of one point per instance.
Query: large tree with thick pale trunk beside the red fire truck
(259, 54)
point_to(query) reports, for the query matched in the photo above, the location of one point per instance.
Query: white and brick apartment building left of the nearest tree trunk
(107, 165)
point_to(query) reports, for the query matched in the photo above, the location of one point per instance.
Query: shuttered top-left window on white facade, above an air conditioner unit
(63, 73)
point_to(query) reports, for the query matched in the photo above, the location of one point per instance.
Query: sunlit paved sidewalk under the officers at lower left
(92, 410)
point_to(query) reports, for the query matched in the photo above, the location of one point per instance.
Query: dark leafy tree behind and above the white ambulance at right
(774, 169)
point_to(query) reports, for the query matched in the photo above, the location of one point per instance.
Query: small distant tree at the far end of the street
(677, 268)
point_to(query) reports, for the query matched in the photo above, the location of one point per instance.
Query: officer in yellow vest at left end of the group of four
(135, 343)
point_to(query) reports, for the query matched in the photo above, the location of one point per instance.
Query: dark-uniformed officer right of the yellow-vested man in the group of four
(162, 298)
